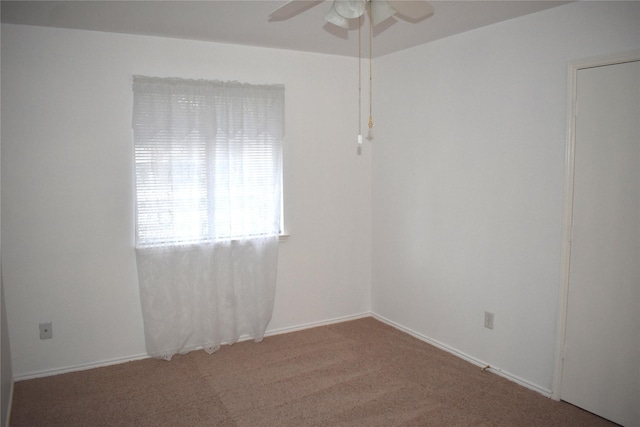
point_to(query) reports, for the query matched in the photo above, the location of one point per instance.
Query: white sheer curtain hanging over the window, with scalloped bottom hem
(208, 160)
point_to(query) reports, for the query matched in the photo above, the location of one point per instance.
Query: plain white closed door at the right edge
(601, 368)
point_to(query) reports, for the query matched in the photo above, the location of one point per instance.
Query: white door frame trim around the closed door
(563, 298)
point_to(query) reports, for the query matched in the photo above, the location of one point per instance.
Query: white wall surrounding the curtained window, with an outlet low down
(67, 202)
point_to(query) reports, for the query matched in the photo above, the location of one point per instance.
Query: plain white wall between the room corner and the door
(468, 180)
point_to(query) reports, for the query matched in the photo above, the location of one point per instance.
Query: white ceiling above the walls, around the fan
(246, 22)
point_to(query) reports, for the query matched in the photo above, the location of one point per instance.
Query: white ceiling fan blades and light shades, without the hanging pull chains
(342, 11)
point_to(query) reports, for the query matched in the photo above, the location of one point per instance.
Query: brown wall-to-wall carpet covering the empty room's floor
(358, 373)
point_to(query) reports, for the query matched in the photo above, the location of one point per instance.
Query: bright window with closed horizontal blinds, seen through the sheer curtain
(208, 160)
